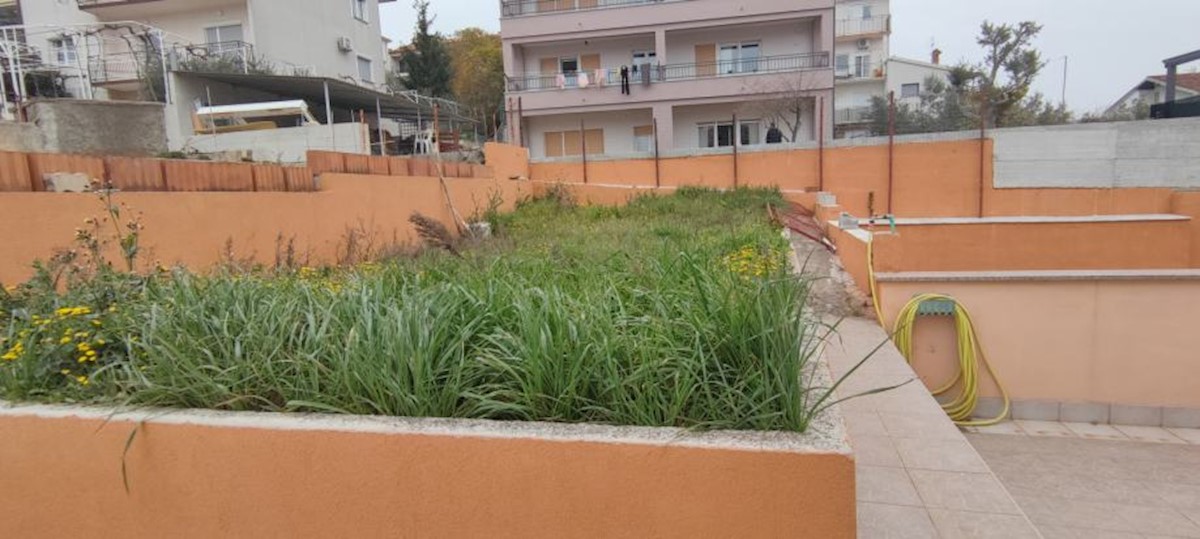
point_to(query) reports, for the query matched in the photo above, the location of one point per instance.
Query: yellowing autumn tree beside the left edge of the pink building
(478, 67)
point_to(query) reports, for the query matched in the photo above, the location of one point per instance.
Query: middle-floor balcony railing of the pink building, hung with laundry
(671, 73)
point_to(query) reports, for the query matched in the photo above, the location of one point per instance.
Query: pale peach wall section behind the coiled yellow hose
(1130, 343)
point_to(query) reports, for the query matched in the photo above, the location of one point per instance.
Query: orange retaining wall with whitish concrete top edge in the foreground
(212, 475)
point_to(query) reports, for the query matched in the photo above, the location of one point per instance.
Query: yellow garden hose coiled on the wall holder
(962, 408)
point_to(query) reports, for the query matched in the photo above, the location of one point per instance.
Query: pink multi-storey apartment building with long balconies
(693, 67)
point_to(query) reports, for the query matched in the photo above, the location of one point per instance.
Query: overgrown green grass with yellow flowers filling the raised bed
(673, 312)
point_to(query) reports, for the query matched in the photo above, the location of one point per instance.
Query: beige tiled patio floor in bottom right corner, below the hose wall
(1096, 482)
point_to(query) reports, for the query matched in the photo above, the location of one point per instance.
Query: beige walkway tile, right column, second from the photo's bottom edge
(980, 493)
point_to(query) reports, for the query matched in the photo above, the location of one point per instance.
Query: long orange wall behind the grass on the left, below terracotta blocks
(193, 229)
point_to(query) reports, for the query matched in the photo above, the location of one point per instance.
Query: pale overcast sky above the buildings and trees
(1112, 45)
